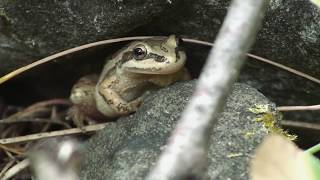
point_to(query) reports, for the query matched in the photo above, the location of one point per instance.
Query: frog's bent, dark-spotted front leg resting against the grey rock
(113, 99)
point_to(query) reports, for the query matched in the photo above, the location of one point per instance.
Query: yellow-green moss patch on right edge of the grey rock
(269, 119)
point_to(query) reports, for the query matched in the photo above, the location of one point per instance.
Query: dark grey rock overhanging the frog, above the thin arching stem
(290, 33)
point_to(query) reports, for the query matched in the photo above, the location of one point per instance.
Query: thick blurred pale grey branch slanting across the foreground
(185, 155)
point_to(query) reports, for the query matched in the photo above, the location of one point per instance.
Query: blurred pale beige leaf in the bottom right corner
(278, 158)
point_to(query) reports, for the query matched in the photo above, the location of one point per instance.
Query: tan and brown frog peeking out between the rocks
(136, 68)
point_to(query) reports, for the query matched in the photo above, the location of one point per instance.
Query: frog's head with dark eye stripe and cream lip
(153, 56)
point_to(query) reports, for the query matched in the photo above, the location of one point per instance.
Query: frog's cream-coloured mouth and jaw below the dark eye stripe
(150, 66)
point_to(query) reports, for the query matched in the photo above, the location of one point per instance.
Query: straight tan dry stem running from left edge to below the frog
(38, 136)
